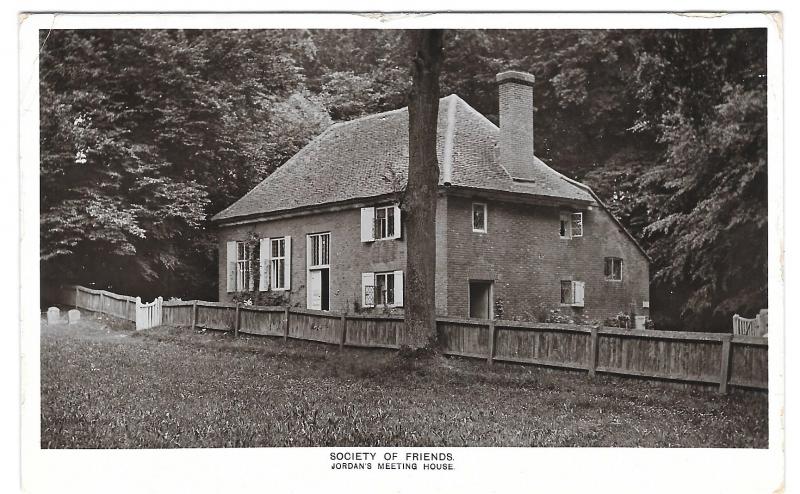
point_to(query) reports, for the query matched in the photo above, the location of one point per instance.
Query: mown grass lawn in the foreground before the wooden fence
(105, 385)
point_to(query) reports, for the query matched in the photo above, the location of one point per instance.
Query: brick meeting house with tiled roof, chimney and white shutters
(514, 237)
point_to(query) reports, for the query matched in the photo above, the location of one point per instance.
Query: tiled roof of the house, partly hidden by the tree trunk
(368, 157)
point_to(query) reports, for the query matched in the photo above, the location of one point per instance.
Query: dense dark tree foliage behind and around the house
(146, 134)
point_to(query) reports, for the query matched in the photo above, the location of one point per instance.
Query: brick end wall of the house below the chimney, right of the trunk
(525, 257)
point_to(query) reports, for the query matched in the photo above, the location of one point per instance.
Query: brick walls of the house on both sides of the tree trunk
(521, 253)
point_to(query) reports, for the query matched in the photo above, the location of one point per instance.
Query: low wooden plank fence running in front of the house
(711, 358)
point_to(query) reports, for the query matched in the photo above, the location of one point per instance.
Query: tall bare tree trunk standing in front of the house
(420, 197)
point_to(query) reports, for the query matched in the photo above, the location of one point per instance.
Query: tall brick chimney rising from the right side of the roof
(516, 124)
